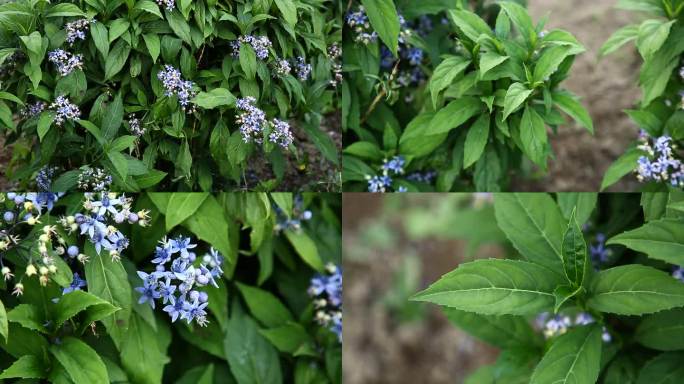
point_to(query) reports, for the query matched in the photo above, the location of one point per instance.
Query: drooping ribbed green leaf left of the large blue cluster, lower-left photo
(108, 280)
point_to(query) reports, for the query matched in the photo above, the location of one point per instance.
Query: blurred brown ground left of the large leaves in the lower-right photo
(378, 349)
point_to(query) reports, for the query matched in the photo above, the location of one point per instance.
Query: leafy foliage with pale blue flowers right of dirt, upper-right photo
(656, 157)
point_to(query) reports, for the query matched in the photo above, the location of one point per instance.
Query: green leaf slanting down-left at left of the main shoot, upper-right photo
(451, 116)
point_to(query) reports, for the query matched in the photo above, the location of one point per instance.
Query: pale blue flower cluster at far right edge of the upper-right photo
(660, 164)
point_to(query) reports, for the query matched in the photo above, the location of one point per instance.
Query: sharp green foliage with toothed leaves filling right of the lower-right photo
(592, 287)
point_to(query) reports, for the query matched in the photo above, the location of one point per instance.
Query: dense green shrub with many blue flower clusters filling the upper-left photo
(187, 95)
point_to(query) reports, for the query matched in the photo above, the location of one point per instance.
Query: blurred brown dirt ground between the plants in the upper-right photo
(607, 87)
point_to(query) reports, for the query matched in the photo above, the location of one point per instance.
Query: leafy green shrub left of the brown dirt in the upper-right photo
(441, 97)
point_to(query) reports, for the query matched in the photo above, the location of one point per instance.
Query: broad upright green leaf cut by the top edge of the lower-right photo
(533, 223)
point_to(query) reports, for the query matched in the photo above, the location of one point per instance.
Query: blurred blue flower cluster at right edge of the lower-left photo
(326, 291)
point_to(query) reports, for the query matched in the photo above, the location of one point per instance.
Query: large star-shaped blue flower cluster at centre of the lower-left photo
(177, 286)
